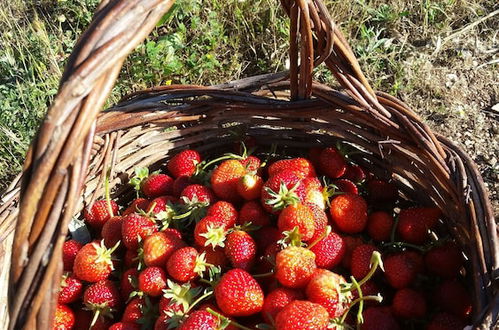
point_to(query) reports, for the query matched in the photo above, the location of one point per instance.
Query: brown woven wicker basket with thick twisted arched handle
(76, 145)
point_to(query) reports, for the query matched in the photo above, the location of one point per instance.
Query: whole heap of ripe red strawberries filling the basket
(238, 242)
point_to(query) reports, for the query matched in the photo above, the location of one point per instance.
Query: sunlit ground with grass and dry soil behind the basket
(441, 57)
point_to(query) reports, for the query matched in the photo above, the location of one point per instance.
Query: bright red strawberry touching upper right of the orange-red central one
(329, 251)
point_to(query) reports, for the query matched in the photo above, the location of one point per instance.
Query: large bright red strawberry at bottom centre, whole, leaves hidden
(239, 294)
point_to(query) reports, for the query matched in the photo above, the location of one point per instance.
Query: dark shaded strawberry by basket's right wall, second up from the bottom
(445, 260)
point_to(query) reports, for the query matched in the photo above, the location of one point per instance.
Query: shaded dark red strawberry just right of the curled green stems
(400, 270)
